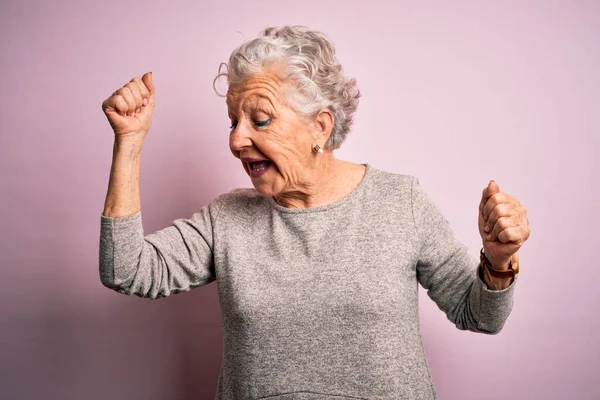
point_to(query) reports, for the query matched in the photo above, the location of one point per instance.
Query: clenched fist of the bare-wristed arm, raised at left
(129, 109)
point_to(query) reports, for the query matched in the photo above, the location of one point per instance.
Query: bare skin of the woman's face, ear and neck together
(264, 126)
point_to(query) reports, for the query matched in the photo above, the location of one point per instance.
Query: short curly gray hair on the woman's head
(312, 69)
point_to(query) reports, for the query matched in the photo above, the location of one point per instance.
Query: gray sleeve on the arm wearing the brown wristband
(451, 274)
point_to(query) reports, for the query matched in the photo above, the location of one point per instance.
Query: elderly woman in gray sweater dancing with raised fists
(318, 265)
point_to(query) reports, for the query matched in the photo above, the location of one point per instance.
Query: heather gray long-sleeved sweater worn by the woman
(316, 303)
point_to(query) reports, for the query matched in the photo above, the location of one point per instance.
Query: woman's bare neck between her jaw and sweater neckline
(321, 185)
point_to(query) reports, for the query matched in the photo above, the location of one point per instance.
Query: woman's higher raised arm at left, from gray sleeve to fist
(171, 260)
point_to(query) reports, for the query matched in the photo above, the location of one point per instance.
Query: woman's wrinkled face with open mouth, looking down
(264, 127)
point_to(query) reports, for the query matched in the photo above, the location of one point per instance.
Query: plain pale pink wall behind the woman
(456, 93)
